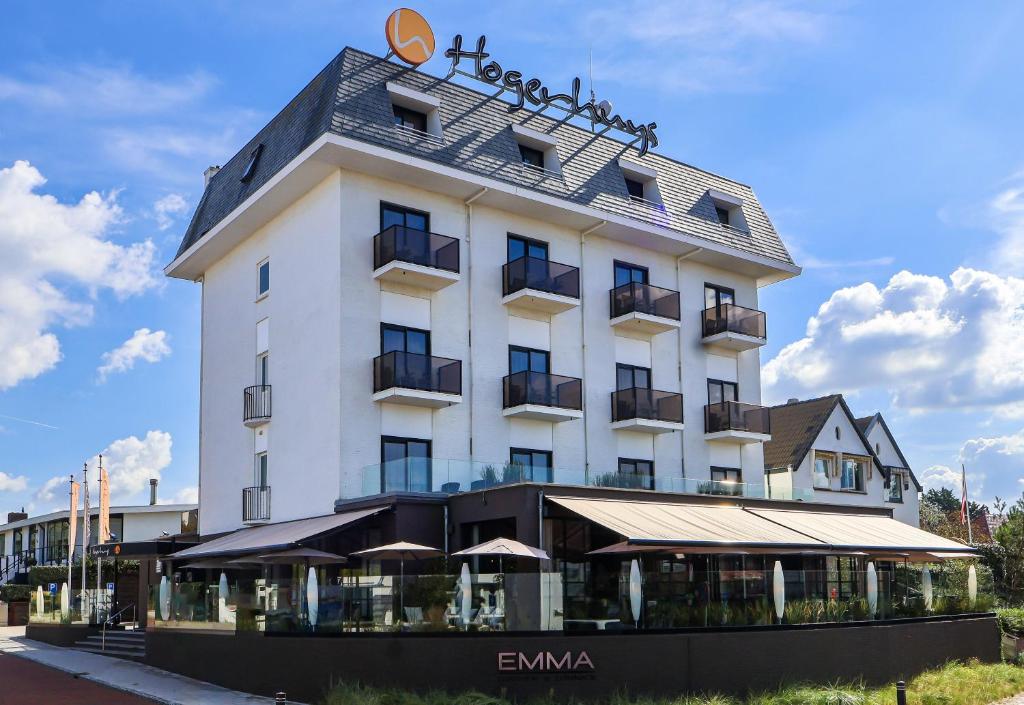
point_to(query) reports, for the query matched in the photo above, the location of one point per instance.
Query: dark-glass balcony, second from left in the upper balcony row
(540, 285)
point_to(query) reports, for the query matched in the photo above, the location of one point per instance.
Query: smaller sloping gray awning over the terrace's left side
(274, 536)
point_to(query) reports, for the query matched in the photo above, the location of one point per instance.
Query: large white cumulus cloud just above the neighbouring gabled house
(931, 344)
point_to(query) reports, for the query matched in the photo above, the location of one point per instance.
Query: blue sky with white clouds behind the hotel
(883, 139)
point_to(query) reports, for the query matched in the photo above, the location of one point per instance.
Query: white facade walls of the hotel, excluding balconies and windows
(324, 314)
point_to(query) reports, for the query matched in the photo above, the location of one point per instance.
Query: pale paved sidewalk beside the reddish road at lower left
(161, 687)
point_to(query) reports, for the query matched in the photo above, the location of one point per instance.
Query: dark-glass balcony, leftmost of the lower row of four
(420, 381)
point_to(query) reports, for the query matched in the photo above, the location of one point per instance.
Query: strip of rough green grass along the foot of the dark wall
(955, 684)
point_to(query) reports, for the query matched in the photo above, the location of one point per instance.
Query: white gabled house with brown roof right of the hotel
(820, 451)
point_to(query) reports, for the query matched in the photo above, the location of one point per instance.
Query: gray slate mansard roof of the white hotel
(350, 98)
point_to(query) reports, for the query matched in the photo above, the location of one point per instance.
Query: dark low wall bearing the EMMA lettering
(598, 665)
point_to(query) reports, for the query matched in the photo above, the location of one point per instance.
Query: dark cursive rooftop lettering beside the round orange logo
(536, 94)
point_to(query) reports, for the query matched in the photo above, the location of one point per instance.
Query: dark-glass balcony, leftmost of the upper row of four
(405, 256)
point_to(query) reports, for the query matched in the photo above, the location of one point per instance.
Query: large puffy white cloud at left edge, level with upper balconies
(44, 241)
